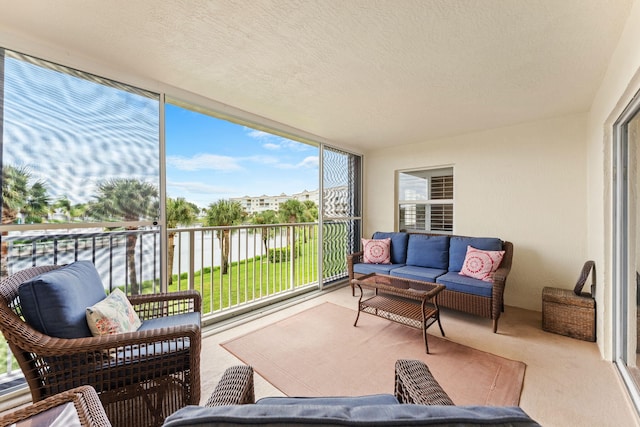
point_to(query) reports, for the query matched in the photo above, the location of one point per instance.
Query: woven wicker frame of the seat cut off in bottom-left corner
(85, 400)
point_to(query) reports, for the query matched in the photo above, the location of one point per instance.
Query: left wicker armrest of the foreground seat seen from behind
(235, 387)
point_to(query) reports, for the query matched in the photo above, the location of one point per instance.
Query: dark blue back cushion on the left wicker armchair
(55, 302)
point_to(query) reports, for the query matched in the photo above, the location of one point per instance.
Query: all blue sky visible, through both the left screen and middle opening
(73, 133)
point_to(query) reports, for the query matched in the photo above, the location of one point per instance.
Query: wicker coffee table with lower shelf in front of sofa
(409, 302)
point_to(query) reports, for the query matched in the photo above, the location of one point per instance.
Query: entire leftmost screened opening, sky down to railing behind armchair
(80, 167)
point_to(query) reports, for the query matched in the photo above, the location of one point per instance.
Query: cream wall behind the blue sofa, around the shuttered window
(523, 183)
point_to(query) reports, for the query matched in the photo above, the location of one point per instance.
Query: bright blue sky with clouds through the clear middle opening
(209, 159)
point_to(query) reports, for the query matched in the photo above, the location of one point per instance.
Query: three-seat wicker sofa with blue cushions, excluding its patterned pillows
(439, 258)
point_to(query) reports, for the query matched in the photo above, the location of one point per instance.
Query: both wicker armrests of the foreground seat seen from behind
(414, 384)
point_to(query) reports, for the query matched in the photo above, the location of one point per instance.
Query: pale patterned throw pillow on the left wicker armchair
(113, 315)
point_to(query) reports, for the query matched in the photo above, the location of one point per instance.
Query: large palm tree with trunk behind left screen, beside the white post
(127, 200)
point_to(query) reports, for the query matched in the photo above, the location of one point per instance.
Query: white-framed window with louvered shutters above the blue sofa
(425, 200)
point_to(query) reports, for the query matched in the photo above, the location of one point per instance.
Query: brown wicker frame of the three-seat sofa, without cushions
(487, 307)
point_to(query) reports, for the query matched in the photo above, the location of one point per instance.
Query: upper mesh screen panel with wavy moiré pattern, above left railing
(69, 138)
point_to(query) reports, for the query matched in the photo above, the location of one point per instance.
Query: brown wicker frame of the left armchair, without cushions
(140, 377)
